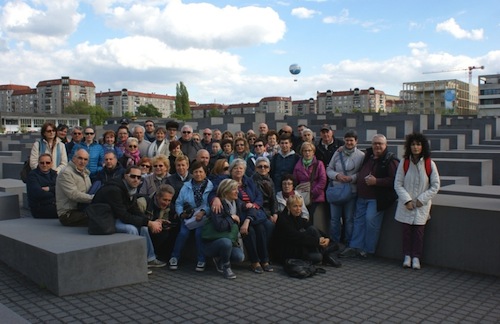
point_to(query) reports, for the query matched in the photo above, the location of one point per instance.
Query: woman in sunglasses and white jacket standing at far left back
(51, 144)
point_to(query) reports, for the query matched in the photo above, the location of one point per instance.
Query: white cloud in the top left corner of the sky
(42, 26)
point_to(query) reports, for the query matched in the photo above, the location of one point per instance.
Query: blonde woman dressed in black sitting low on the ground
(299, 240)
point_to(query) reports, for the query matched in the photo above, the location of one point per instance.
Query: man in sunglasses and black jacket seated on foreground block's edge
(121, 195)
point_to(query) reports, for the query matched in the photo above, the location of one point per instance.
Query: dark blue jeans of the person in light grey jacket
(346, 213)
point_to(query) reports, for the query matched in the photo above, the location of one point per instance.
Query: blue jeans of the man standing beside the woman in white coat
(367, 224)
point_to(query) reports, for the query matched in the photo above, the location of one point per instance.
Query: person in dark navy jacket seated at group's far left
(41, 188)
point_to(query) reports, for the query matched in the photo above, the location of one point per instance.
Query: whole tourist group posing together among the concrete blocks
(257, 190)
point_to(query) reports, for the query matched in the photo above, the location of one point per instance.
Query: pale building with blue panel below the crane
(439, 96)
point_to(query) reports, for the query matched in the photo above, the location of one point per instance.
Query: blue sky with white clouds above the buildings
(232, 51)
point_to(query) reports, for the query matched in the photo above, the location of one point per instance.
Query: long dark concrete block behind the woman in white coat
(462, 234)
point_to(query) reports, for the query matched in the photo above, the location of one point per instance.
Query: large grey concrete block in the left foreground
(67, 260)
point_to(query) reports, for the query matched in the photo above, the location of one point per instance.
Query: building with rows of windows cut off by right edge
(489, 95)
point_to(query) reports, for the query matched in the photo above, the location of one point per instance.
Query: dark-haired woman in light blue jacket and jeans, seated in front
(192, 202)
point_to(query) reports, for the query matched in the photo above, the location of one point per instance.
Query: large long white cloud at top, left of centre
(200, 25)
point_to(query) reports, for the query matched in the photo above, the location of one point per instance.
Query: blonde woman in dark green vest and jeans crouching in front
(224, 250)
